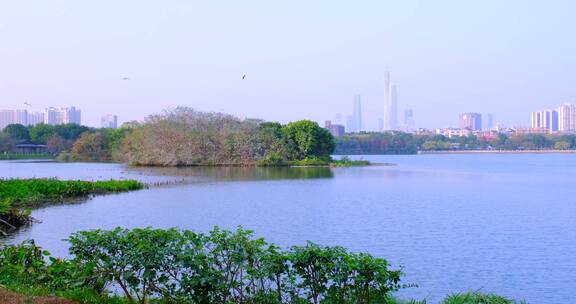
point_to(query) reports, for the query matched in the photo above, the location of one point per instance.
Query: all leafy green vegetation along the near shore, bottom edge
(180, 266)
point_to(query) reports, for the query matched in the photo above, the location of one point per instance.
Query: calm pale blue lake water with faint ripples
(503, 223)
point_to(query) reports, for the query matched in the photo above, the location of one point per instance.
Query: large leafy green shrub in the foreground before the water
(229, 267)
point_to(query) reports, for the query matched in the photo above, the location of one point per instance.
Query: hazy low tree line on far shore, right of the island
(405, 143)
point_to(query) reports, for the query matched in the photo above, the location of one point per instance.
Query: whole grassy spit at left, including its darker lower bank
(18, 194)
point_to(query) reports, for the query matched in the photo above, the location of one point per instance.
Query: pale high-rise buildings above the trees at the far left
(50, 116)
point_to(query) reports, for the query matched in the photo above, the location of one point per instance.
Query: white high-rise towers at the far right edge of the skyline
(562, 119)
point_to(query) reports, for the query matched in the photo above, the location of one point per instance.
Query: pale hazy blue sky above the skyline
(302, 59)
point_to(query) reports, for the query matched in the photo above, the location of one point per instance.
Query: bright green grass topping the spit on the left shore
(35, 191)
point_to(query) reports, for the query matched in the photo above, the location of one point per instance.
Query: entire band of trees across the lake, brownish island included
(185, 137)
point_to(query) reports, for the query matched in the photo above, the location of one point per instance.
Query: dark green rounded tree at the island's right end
(305, 138)
